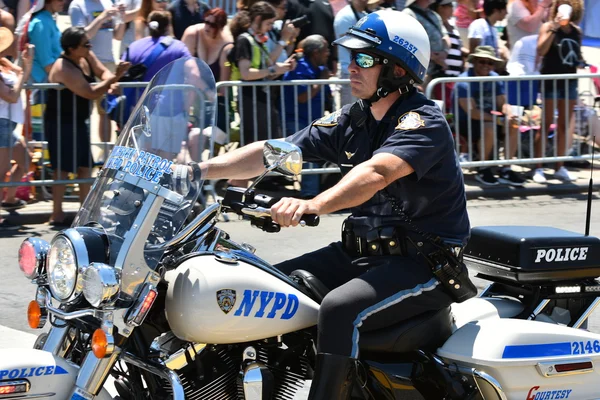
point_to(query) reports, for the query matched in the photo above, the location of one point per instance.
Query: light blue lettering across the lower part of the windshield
(142, 164)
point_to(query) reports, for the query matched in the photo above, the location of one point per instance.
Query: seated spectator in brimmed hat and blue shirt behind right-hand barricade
(495, 113)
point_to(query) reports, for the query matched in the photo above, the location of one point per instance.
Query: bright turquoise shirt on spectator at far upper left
(44, 34)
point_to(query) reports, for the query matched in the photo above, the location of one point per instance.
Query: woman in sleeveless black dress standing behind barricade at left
(68, 110)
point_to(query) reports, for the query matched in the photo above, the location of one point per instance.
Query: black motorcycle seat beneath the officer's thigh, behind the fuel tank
(426, 331)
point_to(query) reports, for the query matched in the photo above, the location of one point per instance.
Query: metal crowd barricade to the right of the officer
(521, 90)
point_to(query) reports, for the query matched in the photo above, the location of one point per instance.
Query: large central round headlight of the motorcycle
(62, 268)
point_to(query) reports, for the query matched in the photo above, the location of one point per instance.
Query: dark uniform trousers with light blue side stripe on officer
(367, 293)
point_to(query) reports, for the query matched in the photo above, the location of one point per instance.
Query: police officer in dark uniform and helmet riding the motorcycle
(401, 179)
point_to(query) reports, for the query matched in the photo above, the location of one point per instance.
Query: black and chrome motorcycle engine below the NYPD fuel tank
(216, 371)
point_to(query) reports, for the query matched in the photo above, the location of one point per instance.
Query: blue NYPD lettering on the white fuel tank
(263, 304)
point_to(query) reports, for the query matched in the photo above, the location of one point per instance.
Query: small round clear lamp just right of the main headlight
(100, 284)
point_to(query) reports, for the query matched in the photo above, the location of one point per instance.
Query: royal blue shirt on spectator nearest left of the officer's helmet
(304, 70)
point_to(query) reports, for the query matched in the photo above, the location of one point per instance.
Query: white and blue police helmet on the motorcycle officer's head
(399, 39)
